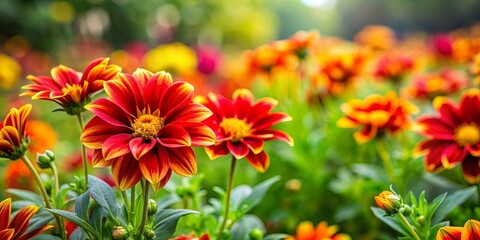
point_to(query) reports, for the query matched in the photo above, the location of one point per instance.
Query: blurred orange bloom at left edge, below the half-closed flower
(17, 175)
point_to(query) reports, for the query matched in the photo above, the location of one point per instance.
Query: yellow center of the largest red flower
(147, 126)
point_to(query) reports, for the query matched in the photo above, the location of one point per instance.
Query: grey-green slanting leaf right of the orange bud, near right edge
(452, 201)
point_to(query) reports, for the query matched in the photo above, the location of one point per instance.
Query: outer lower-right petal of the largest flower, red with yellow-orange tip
(182, 161)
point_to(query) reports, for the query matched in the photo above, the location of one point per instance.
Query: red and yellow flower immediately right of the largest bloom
(242, 126)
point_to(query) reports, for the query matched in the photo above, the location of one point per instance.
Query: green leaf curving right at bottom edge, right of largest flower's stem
(165, 221)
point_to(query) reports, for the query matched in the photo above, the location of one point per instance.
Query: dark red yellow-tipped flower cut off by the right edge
(454, 136)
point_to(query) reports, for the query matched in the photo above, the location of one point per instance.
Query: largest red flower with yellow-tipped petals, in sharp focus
(146, 128)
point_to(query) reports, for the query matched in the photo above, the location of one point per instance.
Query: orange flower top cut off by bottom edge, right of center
(306, 231)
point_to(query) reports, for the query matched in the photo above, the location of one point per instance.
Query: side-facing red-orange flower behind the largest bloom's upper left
(69, 88)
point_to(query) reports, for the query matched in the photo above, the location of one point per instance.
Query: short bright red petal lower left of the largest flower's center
(116, 146)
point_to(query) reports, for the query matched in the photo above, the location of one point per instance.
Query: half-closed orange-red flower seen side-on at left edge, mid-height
(13, 139)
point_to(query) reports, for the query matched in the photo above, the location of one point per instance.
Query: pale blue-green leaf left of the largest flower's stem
(103, 195)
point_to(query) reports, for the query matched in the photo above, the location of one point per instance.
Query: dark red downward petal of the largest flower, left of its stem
(125, 171)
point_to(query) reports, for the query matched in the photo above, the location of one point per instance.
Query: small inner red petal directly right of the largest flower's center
(174, 136)
